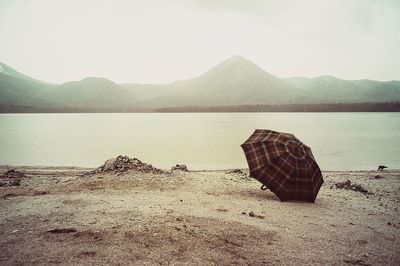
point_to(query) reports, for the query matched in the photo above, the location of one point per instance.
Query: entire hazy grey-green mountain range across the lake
(234, 82)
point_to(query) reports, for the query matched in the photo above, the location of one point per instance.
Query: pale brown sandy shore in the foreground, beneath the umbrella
(59, 216)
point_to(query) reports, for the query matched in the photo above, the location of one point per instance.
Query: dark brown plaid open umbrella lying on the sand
(284, 164)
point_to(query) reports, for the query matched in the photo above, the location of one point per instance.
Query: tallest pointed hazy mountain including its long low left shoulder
(235, 81)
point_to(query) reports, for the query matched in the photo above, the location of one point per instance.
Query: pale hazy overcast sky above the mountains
(154, 41)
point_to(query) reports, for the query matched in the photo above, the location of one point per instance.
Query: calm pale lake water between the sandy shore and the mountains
(339, 141)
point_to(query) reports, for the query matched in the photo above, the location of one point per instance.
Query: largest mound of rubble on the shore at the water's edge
(123, 164)
